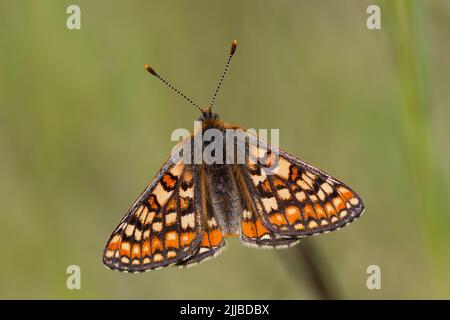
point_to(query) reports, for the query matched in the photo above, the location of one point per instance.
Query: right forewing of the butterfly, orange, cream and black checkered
(293, 198)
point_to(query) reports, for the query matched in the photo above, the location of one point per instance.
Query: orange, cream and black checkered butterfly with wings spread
(270, 200)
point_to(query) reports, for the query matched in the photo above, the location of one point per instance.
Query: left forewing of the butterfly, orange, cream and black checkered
(164, 225)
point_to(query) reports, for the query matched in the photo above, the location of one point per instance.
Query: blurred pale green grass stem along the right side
(407, 32)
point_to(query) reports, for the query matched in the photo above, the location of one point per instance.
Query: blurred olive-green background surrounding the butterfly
(83, 129)
